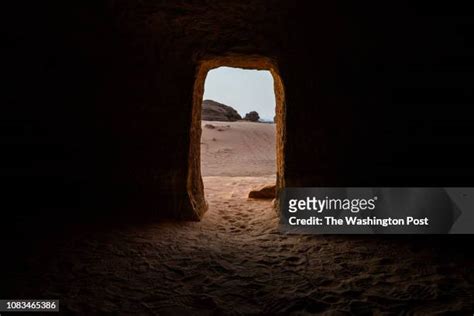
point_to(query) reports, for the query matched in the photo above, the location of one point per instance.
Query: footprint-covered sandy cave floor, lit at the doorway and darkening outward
(236, 262)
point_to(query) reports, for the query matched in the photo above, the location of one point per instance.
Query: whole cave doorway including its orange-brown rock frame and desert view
(237, 128)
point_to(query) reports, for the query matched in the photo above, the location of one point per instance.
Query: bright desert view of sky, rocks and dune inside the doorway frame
(237, 123)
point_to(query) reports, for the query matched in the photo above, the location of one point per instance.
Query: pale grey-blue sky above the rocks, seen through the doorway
(244, 90)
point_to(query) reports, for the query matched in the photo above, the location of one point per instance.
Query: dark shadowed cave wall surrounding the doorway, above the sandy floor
(374, 95)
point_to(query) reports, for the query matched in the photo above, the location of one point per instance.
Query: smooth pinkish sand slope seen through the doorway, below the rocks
(237, 149)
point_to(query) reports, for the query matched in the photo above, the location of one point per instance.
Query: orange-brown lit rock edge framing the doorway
(195, 187)
